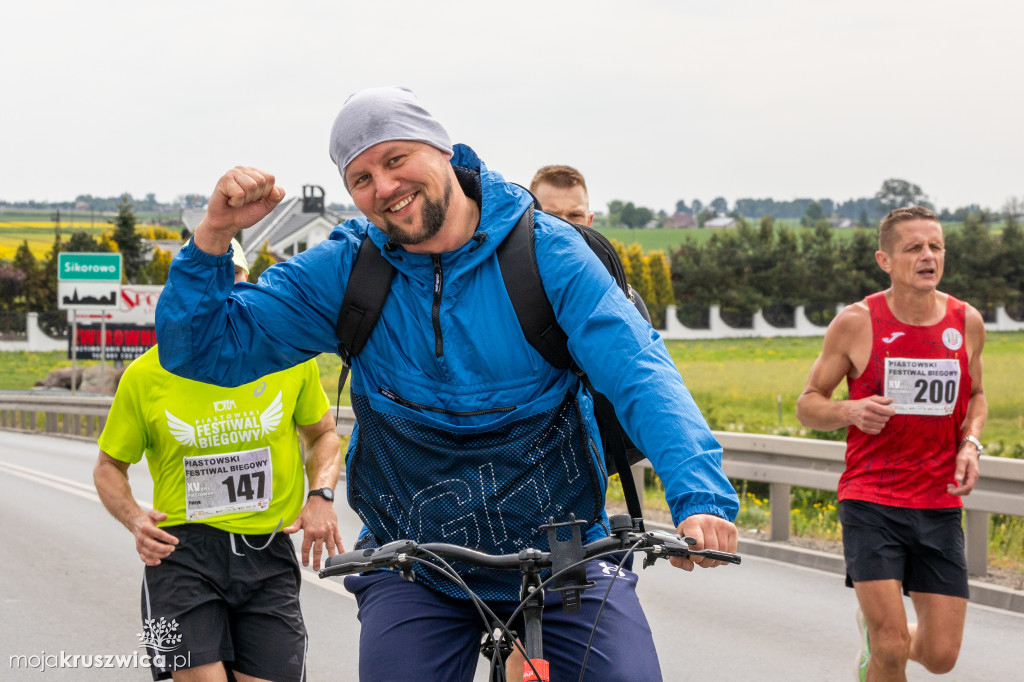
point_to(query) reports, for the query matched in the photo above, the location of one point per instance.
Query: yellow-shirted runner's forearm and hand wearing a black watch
(319, 521)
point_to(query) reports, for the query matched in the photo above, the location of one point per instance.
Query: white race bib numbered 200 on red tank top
(923, 387)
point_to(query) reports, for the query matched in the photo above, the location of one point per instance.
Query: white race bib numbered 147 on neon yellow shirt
(218, 485)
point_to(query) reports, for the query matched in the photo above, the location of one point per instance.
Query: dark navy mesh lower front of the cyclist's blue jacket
(488, 490)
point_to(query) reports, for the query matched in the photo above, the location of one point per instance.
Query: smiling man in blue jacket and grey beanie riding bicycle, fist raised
(465, 434)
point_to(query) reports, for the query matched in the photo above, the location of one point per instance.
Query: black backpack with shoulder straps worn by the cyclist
(370, 284)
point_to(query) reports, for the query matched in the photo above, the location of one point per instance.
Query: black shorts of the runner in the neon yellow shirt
(219, 598)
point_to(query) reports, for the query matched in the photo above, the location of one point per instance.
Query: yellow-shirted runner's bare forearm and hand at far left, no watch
(111, 479)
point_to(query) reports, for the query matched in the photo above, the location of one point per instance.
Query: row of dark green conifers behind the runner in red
(776, 269)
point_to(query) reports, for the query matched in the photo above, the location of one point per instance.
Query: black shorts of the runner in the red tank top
(922, 548)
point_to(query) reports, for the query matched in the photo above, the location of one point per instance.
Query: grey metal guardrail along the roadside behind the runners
(781, 462)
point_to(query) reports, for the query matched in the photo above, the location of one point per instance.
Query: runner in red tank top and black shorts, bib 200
(912, 358)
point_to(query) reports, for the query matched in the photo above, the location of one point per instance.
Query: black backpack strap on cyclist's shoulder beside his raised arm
(368, 288)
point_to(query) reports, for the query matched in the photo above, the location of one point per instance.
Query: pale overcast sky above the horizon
(654, 101)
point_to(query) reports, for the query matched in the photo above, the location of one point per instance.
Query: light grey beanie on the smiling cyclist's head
(380, 115)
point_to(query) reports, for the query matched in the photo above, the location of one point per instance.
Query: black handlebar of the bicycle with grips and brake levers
(401, 553)
